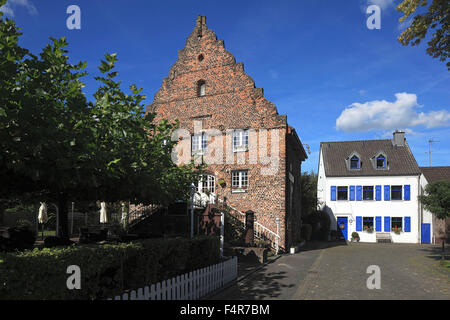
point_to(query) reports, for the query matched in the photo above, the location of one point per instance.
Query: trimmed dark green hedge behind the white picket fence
(106, 270)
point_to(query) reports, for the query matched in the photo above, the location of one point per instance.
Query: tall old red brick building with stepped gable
(253, 156)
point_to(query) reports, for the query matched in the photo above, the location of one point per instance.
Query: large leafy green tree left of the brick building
(56, 145)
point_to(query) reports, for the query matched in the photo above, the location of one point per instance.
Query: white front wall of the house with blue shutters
(371, 208)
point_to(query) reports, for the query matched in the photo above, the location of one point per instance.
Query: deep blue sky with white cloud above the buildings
(316, 60)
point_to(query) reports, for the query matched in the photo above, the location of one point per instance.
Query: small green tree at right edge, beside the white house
(437, 201)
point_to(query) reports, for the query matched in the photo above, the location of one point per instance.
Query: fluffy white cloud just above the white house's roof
(385, 115)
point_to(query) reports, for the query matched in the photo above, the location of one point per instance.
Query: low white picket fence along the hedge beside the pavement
(189, 286)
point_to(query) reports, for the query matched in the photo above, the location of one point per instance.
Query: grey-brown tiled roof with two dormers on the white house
(400, 160)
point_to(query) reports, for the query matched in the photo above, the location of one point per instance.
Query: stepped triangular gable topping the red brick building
(231, 99)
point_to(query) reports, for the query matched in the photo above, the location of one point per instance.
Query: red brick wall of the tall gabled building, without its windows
(231, 102)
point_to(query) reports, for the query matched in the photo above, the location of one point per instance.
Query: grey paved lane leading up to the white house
(339, 271)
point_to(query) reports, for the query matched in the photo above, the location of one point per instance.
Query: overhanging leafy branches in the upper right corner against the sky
(437, 16)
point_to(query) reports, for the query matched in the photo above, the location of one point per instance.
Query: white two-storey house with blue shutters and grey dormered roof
(371, 187)
